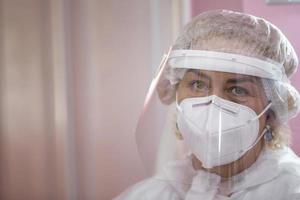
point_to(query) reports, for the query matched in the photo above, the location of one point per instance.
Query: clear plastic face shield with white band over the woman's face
(210, 112)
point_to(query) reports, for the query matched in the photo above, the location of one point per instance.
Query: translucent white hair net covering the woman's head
(244, 34)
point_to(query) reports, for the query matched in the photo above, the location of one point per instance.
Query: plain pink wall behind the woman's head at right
(285, 16)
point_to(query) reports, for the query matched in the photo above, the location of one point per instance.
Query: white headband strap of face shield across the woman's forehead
(226, 62)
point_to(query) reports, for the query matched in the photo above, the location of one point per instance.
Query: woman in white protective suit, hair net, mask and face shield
(228, 98)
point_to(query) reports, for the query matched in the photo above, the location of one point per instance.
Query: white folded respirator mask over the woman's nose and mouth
(216, 130)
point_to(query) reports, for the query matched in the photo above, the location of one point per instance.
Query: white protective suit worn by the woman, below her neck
(274, 176)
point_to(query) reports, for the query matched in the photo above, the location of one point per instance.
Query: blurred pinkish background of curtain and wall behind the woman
(73, 77)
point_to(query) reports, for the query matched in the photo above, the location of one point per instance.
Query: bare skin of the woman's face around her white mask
(241, 89)
